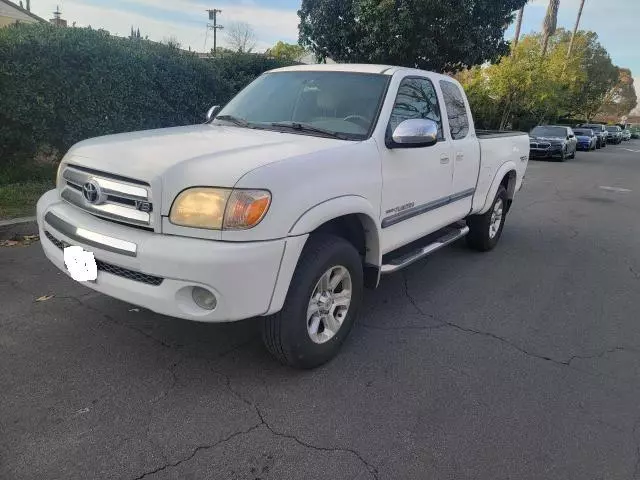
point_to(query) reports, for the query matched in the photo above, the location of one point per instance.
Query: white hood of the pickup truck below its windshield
(204, 154)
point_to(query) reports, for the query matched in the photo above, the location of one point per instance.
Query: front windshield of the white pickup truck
(339, 102)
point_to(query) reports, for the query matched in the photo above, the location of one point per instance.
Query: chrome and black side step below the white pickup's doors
(420, 249)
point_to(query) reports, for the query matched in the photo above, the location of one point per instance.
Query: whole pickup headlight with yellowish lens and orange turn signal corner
(220, 208)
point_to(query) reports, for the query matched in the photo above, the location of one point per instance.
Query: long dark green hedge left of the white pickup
(61, 85)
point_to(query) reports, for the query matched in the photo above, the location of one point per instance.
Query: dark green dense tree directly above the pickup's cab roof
(430, 34)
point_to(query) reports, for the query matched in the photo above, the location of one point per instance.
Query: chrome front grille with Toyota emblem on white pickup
(112, 197)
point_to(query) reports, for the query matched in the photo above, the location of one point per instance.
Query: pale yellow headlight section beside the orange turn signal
(200, 208)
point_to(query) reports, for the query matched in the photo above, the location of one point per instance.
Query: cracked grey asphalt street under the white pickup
(522, 363)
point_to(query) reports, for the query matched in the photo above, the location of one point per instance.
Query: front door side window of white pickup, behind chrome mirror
(416, 98)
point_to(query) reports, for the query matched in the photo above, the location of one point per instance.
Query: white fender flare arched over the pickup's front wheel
(337, 207)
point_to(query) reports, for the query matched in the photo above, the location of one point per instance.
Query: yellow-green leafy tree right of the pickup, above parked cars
(526, 88)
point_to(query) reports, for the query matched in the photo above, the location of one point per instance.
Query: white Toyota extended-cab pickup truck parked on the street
(306, 187)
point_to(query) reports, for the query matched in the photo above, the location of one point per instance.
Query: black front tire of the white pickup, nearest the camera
(286, 334)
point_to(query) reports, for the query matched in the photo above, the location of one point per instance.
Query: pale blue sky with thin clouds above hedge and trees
(615, 21)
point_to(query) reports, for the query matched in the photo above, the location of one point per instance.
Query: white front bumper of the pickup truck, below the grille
(158, 272)
